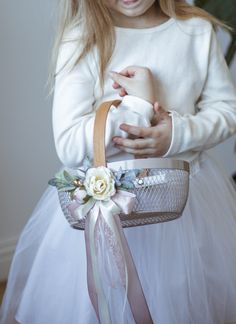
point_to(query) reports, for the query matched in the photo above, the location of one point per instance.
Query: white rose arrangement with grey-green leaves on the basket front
(93, 184)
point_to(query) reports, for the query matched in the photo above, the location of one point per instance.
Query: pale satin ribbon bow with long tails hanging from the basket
(122, 201)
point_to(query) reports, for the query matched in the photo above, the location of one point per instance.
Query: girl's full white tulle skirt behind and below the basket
(186, 267)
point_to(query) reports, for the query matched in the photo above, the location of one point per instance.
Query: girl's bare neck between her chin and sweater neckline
(152, 17)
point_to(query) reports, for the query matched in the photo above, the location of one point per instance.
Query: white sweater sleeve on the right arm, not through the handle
(215, 119)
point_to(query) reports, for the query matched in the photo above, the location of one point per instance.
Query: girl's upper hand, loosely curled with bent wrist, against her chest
(135, 80)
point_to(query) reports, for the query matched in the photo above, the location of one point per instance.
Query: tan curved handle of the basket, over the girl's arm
(99, 152)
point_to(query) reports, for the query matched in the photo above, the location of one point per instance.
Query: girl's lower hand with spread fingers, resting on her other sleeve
(147, 141)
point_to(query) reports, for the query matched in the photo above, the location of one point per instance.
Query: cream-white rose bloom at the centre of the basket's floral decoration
(100, 183)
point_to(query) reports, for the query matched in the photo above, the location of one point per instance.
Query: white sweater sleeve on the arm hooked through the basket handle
(74, 112)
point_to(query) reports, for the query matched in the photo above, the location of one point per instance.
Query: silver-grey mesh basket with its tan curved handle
(161, 193)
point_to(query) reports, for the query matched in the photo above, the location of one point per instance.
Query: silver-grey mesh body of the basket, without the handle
(161, 196)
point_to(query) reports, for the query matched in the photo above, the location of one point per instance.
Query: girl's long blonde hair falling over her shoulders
(96, 25)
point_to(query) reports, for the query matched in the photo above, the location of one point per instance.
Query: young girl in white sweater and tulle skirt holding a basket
(167, 56)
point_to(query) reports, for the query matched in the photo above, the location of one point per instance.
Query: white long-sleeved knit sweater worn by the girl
(192, 81)
